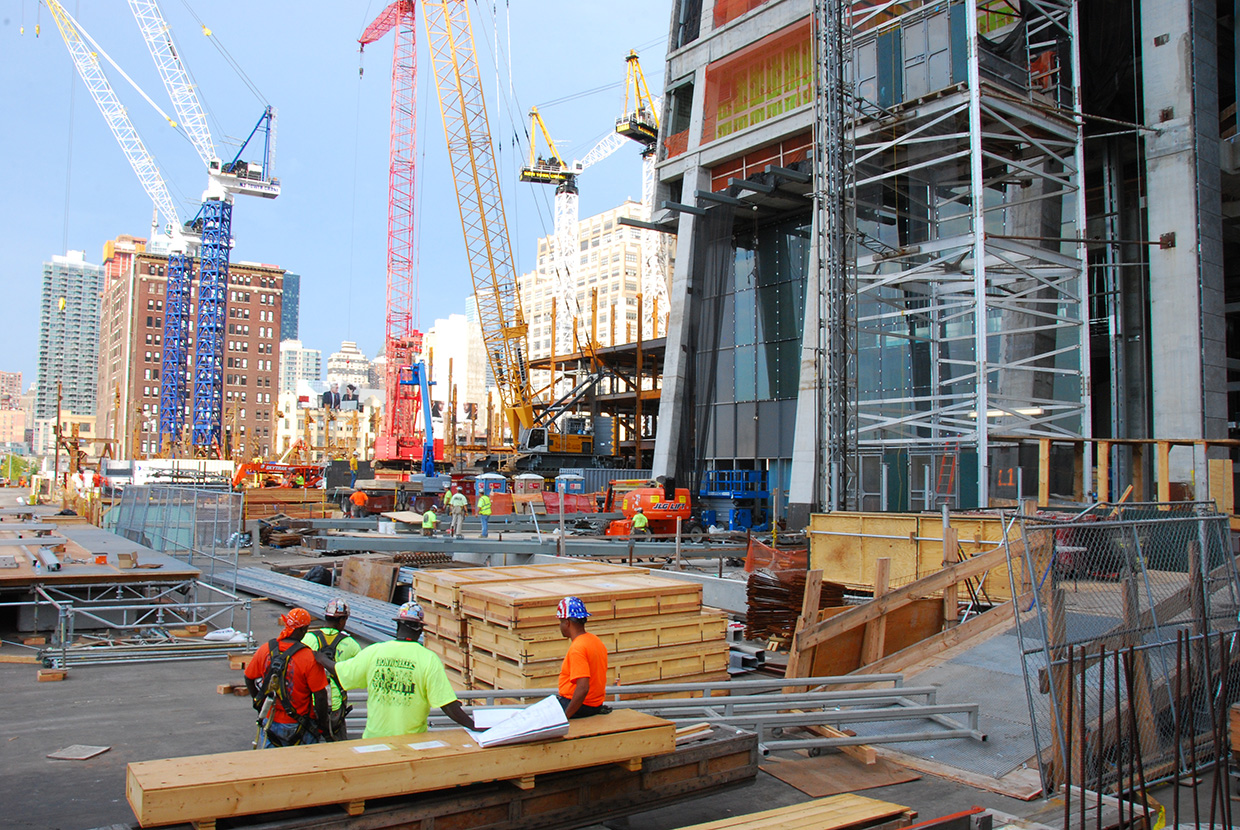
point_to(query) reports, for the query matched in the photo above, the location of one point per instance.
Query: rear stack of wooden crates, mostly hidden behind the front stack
(440, 595)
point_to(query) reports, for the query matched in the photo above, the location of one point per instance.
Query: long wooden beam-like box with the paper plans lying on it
(206, 788)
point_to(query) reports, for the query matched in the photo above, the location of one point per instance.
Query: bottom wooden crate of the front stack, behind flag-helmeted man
(628, 668)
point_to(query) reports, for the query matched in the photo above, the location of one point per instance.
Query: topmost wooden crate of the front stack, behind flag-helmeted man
(525, 605)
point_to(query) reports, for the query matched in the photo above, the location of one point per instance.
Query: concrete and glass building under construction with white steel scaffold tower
(914, 236)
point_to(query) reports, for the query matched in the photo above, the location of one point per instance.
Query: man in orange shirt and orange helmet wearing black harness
(290, 688)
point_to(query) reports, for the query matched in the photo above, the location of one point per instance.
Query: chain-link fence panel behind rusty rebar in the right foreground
(1128, 623)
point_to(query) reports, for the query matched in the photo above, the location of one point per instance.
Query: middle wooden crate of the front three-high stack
(627, 635)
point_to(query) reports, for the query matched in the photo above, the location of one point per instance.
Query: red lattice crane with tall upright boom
(402, 344)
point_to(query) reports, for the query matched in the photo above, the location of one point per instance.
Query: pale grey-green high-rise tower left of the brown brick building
(69, 336)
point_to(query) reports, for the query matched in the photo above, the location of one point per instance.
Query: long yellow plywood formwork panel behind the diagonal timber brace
(845, 547)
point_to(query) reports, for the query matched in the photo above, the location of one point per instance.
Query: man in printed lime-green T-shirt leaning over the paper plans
(404, 681)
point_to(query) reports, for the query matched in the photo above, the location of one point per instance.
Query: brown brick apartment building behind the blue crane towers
(132, 346)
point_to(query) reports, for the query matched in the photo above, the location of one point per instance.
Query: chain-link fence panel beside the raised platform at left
(198, 525)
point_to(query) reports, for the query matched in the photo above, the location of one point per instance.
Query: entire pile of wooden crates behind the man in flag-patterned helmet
(498, 627)
